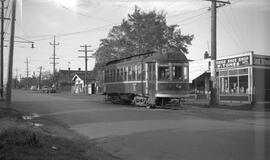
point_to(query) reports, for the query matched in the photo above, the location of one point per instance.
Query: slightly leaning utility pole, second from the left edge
(11, 50)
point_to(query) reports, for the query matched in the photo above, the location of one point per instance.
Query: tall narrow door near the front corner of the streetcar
(151, 71)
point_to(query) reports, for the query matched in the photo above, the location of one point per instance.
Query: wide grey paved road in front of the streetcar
(146, 134)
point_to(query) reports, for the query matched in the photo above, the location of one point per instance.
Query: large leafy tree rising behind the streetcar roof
(141, 32)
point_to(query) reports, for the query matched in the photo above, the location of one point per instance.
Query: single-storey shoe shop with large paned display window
(244, 78)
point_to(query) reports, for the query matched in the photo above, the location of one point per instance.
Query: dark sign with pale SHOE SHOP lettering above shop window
(233, 62)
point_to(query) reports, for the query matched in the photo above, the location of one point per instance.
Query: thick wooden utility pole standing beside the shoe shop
(213, 84)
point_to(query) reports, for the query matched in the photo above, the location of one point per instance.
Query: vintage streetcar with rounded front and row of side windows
(148, 79)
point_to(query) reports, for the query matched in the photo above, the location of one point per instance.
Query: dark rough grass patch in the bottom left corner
(28, 144)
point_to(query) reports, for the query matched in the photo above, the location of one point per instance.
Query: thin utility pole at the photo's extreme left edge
(2, 51)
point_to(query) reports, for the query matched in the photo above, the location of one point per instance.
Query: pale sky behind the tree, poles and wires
(242, 26)
